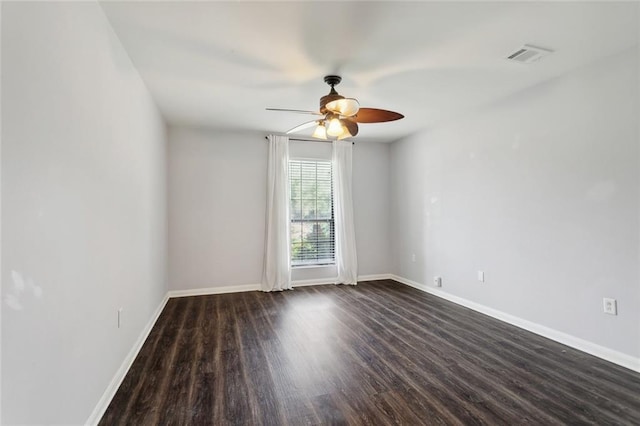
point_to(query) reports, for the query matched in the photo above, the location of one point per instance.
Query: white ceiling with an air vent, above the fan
(219, 64)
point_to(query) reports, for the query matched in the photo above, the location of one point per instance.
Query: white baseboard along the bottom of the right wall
(591, 348)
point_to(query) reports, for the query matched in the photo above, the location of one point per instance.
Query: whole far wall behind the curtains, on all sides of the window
(217, 196)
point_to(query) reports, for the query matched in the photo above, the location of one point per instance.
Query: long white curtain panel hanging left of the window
(276, 275)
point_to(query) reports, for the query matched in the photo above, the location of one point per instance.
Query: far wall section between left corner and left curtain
(216, 208)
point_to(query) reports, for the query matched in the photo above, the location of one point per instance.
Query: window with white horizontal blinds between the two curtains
(312, 228)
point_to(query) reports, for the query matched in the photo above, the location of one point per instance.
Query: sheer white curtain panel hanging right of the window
(346, 259)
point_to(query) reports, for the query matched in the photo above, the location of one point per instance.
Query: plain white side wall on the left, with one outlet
(83, 210)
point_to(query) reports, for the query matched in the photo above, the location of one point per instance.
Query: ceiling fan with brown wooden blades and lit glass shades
(339, 116)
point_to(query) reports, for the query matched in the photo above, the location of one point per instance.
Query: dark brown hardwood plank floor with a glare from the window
(378, 353)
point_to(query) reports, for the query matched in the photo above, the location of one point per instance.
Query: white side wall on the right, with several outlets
(541, 191)
